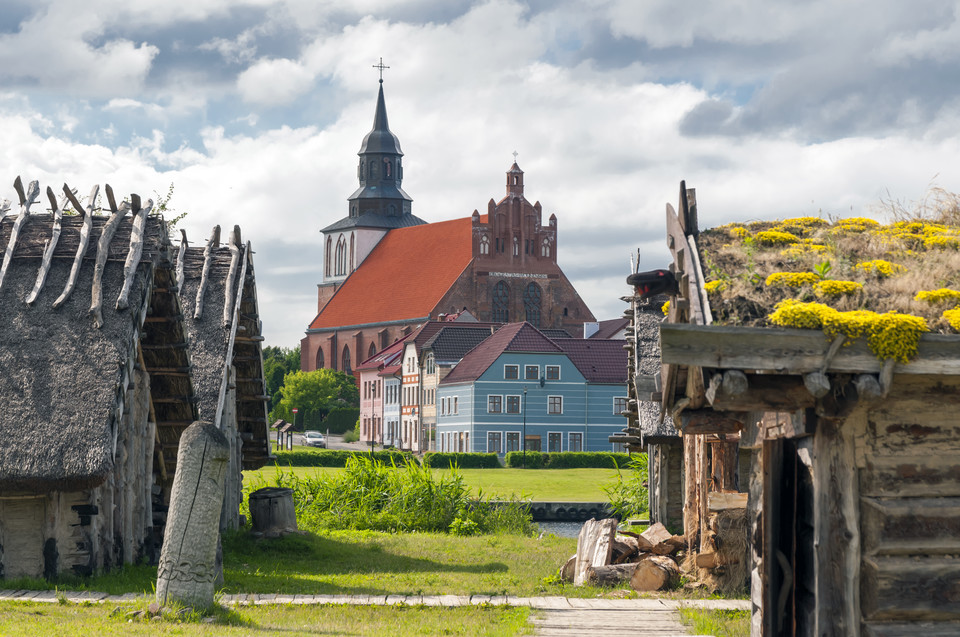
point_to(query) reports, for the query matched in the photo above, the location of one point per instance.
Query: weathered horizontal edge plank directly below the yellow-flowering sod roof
(794, 351)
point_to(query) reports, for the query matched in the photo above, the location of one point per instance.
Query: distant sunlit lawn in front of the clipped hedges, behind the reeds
(548, 485)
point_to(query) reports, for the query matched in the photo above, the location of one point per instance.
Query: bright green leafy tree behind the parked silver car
(315, 393)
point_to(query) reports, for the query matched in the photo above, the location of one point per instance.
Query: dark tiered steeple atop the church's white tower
(380, 171)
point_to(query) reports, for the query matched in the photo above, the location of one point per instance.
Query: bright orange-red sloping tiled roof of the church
(404, 277)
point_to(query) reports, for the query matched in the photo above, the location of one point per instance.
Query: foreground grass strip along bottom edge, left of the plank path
(22, 619)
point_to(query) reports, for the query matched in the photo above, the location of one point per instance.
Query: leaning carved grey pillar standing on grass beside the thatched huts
(187, 570)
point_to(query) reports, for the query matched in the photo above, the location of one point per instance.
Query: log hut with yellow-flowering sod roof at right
(804, 349)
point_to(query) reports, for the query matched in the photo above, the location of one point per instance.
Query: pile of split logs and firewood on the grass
(646, 561)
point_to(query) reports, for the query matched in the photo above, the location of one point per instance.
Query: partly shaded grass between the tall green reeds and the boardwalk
(371, 563)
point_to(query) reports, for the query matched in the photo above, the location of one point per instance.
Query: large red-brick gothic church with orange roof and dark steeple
(387, 272)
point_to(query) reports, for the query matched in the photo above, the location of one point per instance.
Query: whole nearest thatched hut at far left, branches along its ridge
(96, 383)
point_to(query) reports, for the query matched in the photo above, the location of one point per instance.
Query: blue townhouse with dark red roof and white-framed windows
(519, 385)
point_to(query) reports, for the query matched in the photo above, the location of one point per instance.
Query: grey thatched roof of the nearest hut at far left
(62, 378)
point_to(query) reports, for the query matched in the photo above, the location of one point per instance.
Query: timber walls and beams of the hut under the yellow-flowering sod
(849, 463)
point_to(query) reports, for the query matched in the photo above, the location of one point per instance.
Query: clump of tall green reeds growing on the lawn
(371, 495)
